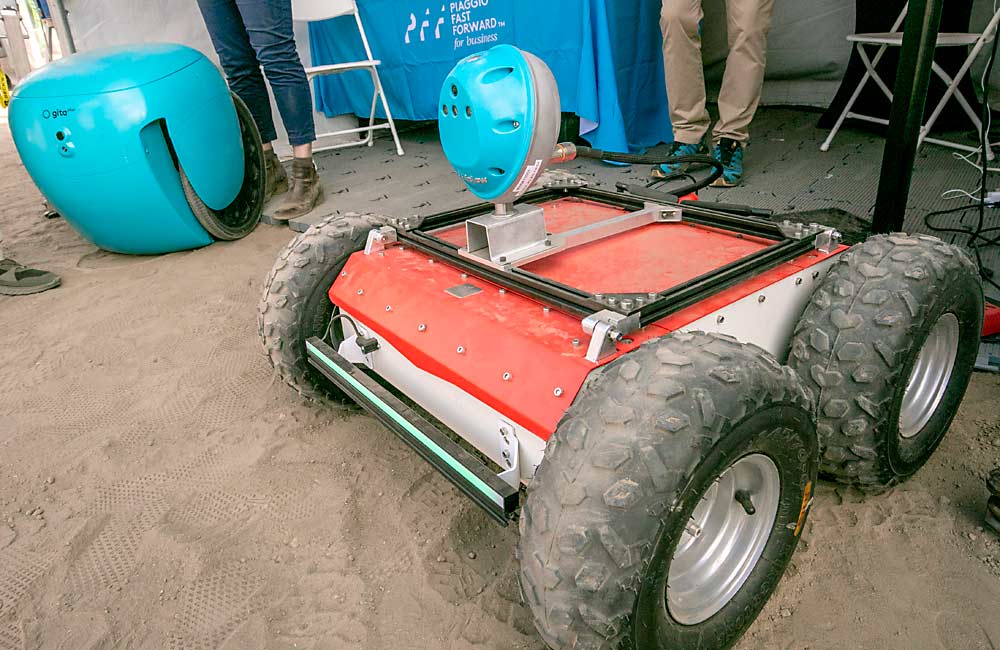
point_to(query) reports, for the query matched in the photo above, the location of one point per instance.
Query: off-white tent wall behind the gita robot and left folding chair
(102, 23)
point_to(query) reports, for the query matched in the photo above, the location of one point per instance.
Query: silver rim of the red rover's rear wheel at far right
(930, 376)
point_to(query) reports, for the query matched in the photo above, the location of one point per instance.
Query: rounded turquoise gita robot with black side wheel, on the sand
(143, 149)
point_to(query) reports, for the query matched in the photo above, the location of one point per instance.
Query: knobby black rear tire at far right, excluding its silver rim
(858, 340)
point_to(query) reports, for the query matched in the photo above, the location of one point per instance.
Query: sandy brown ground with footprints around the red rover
(160, 489)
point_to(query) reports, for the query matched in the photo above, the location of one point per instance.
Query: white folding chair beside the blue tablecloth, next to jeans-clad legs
(316, 10)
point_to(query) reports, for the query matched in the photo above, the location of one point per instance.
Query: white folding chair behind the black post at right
(894, 38)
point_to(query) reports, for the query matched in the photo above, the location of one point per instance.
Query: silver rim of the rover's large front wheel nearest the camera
(721, 543)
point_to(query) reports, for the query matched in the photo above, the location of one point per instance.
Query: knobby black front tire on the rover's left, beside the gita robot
(296, 304)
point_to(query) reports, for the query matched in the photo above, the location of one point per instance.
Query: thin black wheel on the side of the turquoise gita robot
(239, 218)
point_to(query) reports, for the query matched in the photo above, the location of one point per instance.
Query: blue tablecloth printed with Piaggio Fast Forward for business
(604, 55)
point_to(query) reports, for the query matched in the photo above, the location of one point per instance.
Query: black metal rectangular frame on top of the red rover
(582, 303)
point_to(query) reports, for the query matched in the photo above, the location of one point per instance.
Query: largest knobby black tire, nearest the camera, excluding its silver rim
(644, 439)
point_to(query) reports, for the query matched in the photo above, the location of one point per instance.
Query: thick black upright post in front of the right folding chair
(907, 116)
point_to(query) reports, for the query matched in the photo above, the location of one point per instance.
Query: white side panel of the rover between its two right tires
(767, 317)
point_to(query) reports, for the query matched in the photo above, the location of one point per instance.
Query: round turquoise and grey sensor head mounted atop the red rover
(499, 121)
